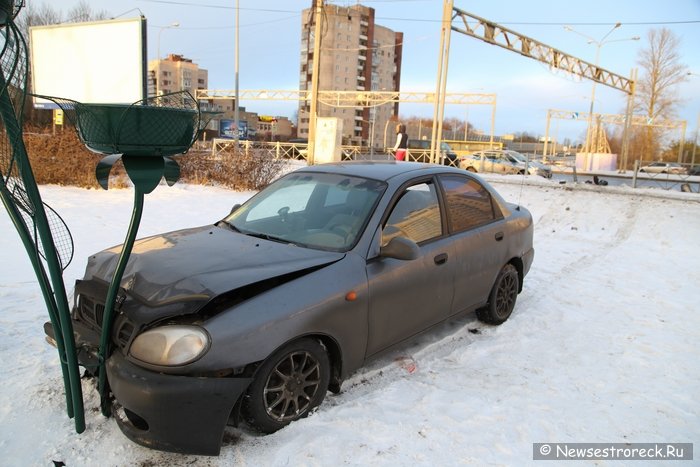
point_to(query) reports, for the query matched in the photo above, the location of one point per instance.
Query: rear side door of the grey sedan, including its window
(477, 230)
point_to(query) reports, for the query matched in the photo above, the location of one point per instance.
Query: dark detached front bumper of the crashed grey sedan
(181, 414)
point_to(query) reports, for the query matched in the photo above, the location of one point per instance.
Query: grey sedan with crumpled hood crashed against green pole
(255, 317)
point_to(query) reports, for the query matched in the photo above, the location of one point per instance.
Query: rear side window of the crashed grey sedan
(469, 204)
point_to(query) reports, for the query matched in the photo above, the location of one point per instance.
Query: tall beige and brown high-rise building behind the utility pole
(356, 55)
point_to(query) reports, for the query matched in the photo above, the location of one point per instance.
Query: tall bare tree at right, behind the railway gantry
(656, 95)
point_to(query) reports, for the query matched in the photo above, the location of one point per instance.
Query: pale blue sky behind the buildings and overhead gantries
(525, 89)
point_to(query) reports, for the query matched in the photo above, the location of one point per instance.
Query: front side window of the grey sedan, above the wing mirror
(416, 215)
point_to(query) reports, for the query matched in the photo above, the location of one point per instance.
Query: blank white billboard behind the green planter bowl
(97, 61)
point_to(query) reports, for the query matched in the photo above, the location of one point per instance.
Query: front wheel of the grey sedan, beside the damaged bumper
(287, 386)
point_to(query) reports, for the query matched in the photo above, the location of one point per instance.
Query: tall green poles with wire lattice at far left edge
(44, 235)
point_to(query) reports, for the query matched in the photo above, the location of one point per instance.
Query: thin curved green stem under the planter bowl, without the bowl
(108, 316)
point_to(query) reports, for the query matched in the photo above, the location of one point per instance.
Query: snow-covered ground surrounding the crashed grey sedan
(602, 347)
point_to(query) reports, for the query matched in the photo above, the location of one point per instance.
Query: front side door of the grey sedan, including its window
(408, 296)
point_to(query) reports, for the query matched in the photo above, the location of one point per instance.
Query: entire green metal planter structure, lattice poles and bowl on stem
(144, 135)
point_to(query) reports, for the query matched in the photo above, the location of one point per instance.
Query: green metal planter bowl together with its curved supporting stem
(144, 135)
